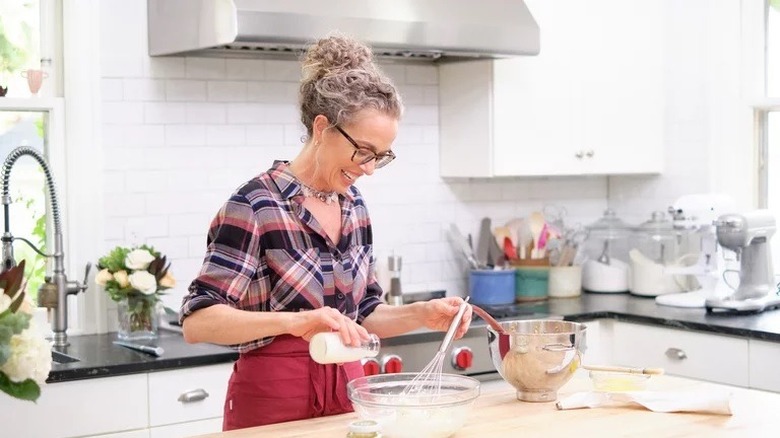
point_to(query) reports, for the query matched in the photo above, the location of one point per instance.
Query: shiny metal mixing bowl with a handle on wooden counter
(537, 357)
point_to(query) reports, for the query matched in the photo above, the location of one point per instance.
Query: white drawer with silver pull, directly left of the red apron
(188, 394)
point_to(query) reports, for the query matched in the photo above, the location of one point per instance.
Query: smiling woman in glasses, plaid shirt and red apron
(289, 254)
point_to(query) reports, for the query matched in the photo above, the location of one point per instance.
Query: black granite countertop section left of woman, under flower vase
(98, 356)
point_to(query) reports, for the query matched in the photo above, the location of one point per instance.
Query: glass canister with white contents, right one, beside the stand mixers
(657, 249)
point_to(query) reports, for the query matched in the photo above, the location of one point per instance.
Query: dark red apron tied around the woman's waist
(280, 382)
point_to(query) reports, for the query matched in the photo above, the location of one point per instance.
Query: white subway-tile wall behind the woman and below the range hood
(180, 134)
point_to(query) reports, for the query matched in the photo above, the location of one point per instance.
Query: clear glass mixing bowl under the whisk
(380, 398)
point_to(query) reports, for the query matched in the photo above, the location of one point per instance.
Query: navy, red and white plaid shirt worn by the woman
(266, 253)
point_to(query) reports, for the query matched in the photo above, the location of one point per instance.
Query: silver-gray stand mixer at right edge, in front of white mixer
(748, 236)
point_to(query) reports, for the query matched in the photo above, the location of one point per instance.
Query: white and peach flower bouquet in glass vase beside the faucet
(136, 276)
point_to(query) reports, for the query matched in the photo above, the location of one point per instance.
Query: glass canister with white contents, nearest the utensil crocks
(606, 248)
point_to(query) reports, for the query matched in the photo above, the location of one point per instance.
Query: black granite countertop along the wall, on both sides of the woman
(99, 357)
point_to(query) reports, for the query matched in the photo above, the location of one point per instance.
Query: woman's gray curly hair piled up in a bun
(340, 79)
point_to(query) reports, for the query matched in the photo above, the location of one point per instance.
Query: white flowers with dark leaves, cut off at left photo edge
(25, 356)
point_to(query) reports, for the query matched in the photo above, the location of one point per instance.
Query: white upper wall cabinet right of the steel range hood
(590, 103)
